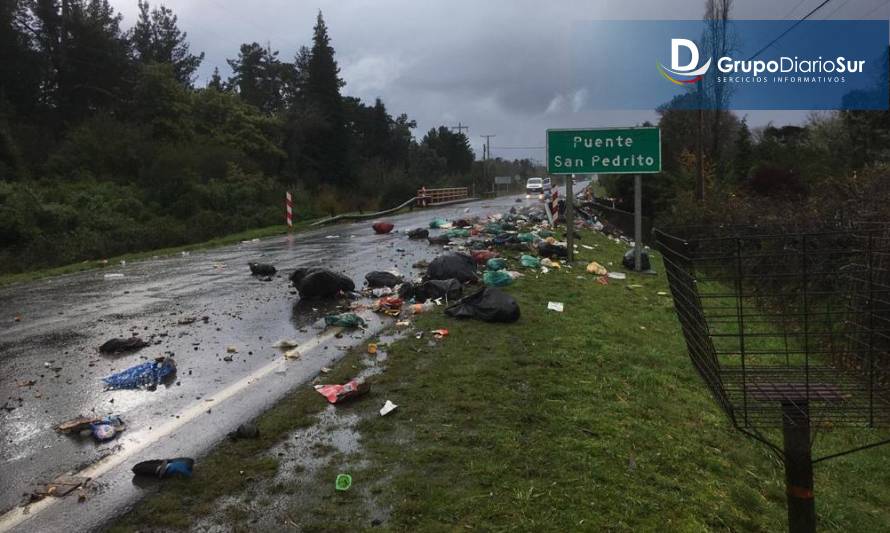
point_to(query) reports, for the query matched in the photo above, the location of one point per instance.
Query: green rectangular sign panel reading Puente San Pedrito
(604, 151)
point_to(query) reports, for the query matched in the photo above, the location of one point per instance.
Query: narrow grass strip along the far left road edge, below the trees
(23, 277)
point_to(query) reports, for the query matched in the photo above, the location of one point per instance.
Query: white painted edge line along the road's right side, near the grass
(20, 514)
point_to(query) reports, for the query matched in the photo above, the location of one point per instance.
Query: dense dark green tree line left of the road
(108, 146)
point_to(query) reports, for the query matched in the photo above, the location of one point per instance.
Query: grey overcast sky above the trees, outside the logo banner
(498, 66)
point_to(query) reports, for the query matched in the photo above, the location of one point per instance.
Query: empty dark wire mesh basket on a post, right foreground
(786, 326)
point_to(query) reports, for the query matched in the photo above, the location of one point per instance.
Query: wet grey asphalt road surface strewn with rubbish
(50, 368)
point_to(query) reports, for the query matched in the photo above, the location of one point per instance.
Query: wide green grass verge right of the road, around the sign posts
(592, 419)
